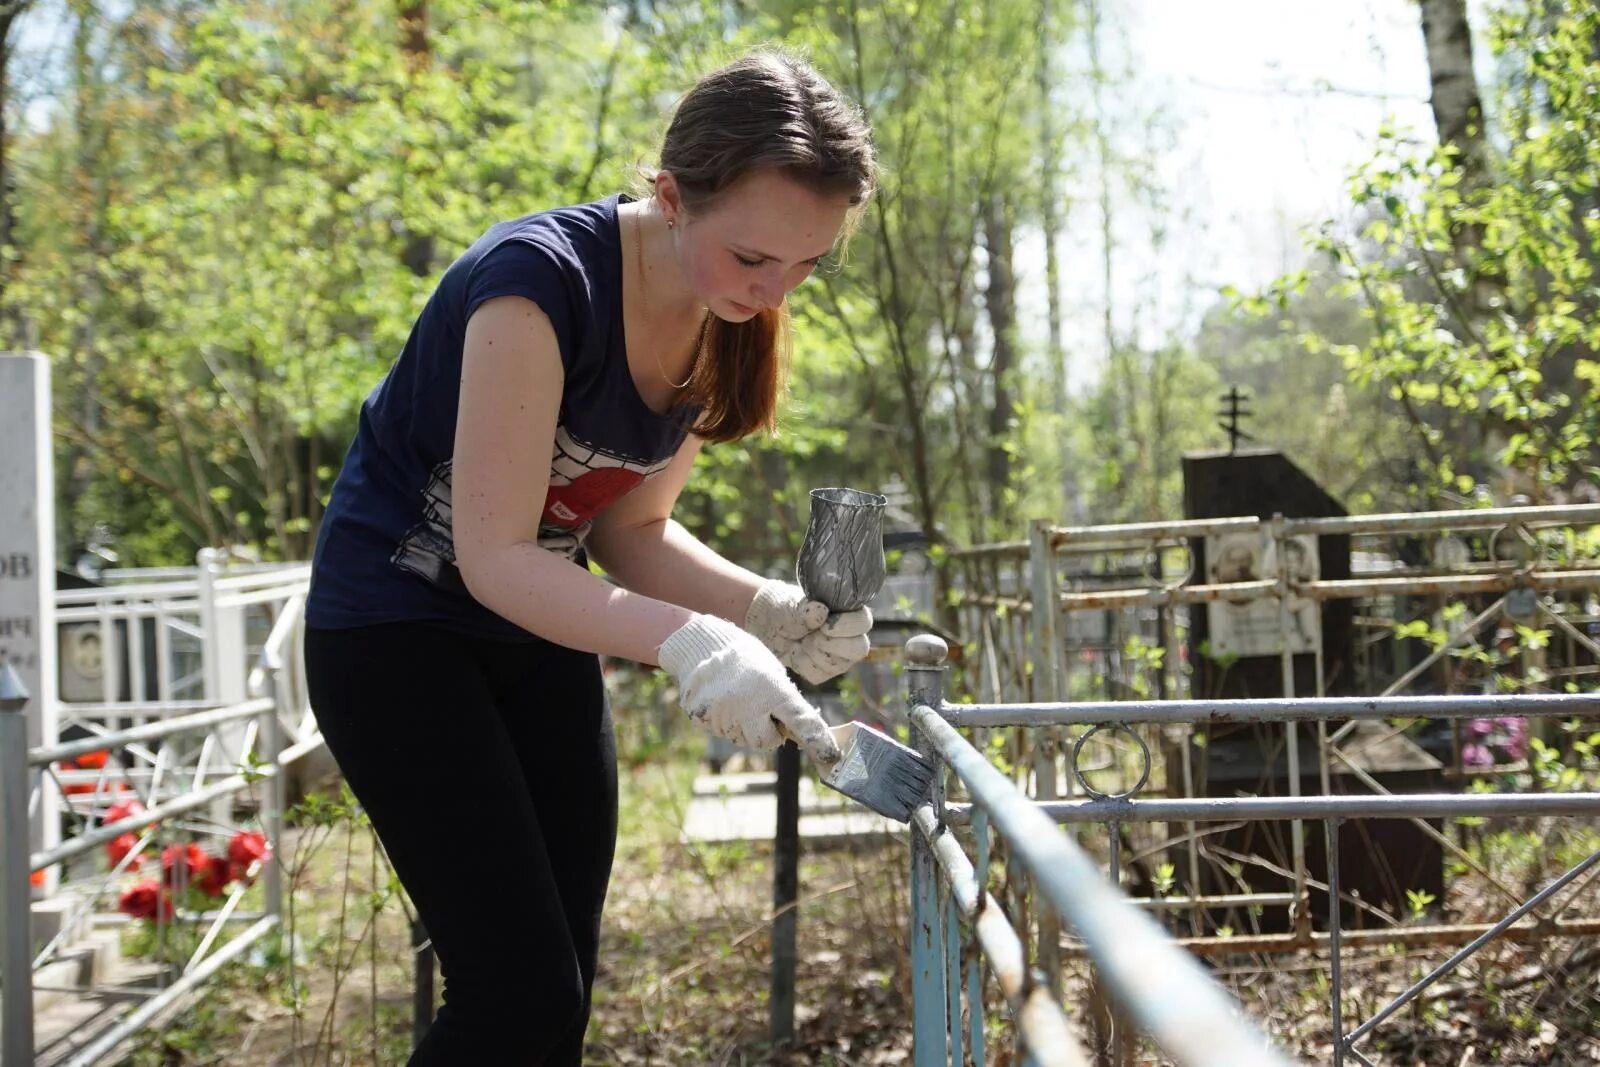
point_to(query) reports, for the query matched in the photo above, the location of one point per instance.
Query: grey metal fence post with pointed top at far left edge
(17, 913)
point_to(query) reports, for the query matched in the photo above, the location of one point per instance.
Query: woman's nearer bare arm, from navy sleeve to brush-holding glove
(511, 394)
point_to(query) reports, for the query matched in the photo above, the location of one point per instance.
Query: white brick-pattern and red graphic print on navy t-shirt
(585, 481)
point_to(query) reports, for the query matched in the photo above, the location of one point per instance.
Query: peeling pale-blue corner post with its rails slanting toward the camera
(1162, 986)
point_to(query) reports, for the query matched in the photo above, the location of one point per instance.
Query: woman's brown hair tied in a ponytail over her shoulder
(769, 111)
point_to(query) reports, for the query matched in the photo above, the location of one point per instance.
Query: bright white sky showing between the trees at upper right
(1270, 106)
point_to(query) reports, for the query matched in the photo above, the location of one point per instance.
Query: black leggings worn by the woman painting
(489, 772)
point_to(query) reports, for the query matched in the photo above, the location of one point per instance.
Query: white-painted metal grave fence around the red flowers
(202, 714)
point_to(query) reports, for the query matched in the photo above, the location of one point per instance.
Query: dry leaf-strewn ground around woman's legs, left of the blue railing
(684, 969)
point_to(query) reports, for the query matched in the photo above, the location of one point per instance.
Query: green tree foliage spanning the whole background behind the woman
(231, 214)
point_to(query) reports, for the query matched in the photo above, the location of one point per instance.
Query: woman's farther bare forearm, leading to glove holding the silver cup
(642, 546)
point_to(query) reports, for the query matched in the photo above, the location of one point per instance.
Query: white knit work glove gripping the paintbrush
(734, 687)
